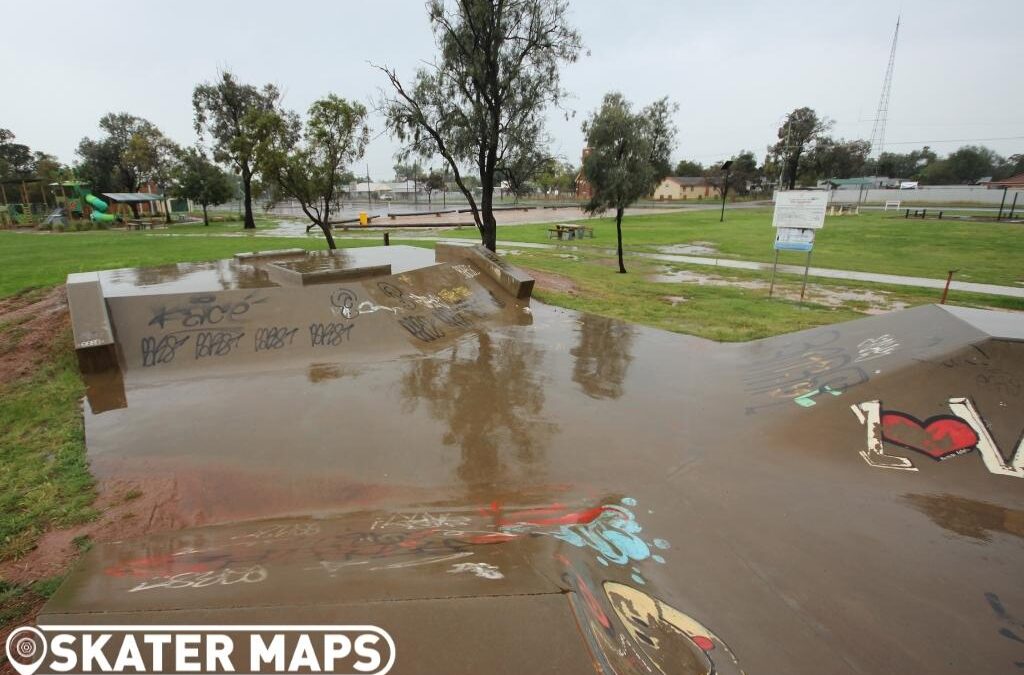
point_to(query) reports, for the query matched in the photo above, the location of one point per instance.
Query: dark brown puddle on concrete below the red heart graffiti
(967, 517)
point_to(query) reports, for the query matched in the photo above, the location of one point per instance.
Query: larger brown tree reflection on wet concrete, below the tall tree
(493, 403)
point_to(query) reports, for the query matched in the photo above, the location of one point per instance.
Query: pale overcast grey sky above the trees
(735, 67)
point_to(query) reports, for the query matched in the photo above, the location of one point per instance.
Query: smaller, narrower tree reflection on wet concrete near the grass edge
(603, 357)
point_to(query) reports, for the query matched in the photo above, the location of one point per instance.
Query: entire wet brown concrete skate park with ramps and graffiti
(506, 487)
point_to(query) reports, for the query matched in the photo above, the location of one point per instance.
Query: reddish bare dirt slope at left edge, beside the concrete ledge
(28, 323)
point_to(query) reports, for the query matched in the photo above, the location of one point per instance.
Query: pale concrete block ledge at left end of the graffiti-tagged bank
(91, 323)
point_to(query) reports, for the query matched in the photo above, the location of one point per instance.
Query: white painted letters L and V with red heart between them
(941, 438)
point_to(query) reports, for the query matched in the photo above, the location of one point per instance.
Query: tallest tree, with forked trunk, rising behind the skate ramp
(483, 100)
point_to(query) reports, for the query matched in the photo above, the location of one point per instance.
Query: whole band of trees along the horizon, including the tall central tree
(478, 110)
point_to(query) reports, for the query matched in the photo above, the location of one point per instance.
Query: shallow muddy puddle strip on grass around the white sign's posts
(878, 303)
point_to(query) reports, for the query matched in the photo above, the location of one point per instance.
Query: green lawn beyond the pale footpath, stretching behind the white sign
(990, 254)
